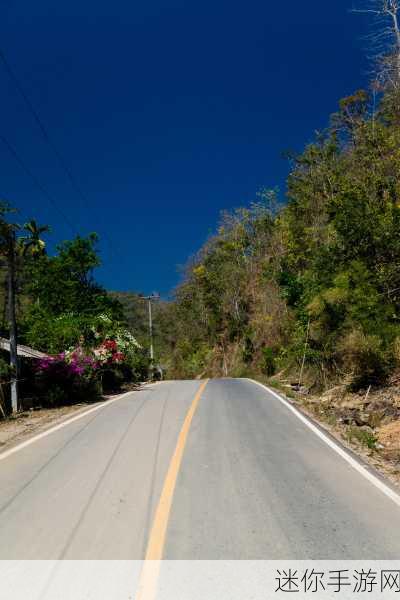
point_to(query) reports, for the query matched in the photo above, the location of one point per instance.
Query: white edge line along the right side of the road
(385, 489)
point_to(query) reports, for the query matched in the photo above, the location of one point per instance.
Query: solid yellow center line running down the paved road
(155, 547)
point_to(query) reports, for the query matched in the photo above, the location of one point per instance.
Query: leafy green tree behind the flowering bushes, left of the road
(65, 297)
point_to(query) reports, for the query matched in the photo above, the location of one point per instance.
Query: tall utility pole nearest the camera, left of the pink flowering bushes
(13, 323)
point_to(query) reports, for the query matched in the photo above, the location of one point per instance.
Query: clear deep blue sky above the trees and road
(166, 112)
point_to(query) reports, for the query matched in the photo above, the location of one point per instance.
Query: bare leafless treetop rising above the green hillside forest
(385, 39)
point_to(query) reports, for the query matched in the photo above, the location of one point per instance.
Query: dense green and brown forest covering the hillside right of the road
(310, 288)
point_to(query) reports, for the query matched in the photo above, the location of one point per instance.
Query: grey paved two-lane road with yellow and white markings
(184, 471)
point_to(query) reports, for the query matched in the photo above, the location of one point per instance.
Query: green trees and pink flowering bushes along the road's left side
(89, 348)
